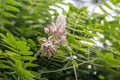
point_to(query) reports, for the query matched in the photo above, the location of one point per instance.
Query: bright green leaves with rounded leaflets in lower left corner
(16, 58)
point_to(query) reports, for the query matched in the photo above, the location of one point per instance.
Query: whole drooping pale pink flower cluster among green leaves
(57, 35)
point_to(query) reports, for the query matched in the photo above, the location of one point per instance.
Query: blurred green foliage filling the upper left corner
(25, 17)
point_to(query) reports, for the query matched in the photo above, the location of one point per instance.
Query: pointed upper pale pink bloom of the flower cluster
(58, 29)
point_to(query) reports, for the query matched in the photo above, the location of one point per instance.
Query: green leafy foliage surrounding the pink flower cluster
(22, 25)
